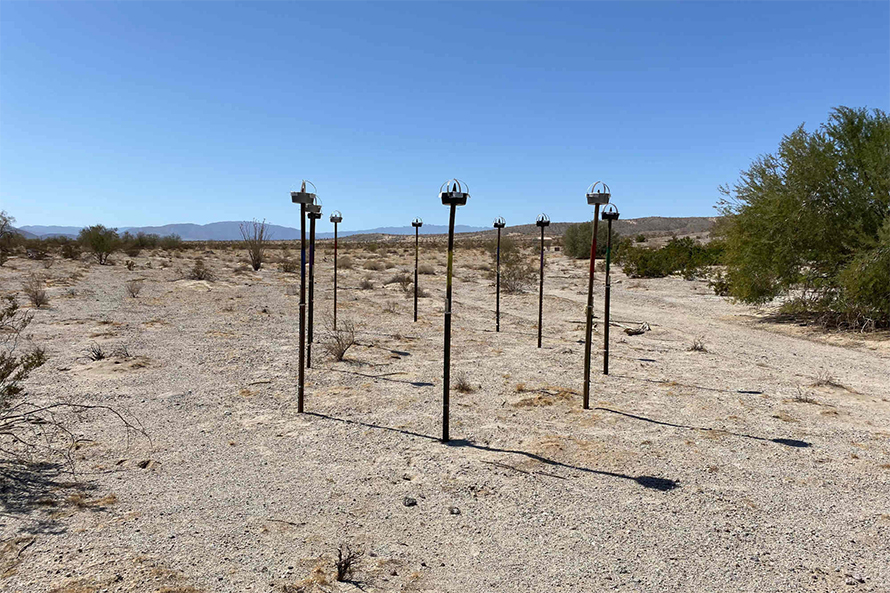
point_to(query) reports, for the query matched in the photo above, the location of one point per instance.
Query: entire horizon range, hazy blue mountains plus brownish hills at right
(230, 231)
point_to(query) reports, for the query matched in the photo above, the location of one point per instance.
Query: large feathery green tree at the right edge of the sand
(807, 221)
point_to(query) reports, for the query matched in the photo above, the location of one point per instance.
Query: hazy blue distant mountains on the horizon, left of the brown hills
(230, 231)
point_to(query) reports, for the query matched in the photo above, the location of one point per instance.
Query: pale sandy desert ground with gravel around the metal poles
(760, 464)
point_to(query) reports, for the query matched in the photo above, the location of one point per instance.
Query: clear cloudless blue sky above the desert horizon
(152, 113)
